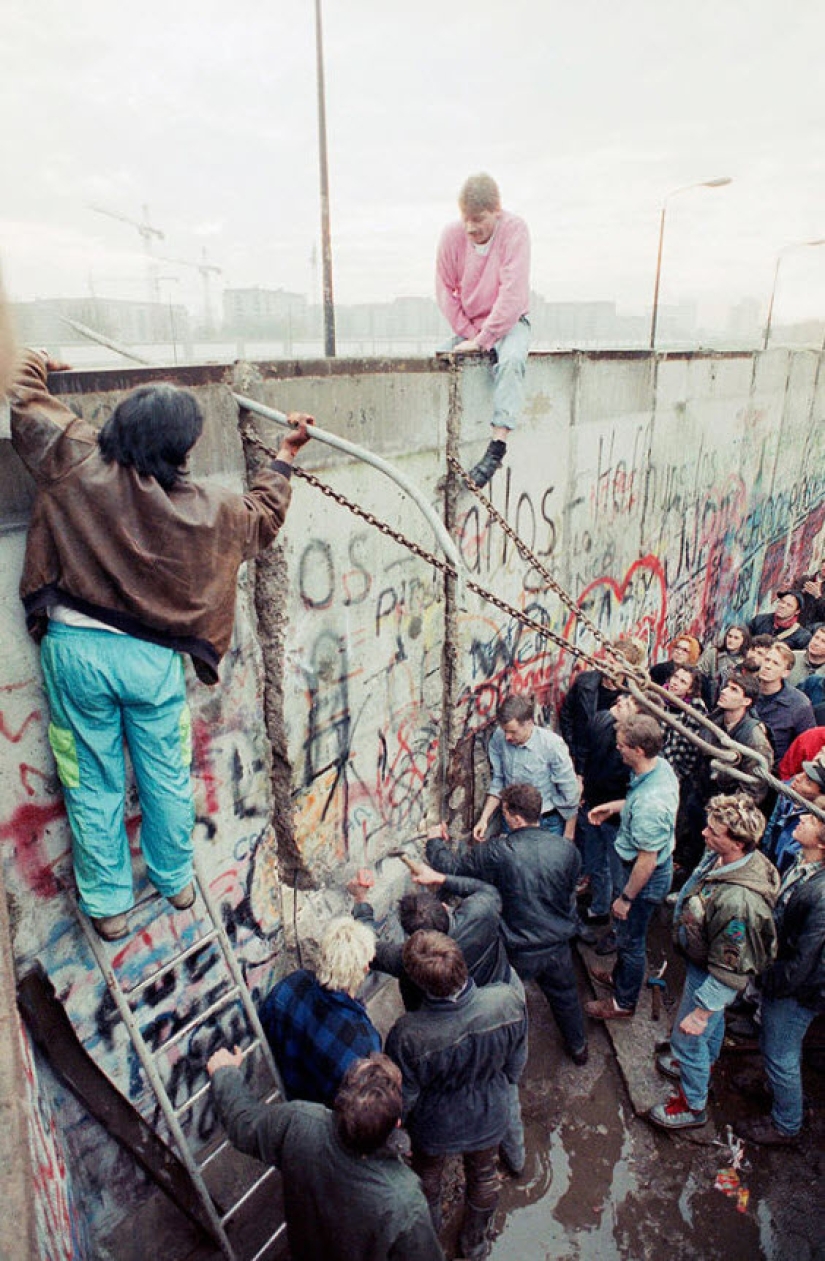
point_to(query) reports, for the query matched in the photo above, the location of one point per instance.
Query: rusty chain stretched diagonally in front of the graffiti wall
(725, 753)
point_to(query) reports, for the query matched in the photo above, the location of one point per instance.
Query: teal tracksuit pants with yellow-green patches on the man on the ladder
(105, 689)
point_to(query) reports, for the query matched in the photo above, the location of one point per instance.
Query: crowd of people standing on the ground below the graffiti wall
(581, 835)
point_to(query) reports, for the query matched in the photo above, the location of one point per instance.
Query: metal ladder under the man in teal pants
(238, 993)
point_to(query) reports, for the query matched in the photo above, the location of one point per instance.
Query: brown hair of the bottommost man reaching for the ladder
(369, 1104)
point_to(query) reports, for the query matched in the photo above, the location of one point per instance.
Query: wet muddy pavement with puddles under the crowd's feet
(601, 1185)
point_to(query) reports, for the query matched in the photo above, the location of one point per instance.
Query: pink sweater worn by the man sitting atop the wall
(484, 296)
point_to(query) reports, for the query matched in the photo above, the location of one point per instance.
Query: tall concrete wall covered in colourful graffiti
(668, 495)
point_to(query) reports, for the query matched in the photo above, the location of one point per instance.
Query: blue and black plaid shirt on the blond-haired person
(315, 1035)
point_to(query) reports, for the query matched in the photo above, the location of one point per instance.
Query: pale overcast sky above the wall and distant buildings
(588, 113)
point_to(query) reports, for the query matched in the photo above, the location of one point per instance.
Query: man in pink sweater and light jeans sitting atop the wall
(484, 289)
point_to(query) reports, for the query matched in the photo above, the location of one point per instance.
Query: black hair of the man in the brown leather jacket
(153, 431)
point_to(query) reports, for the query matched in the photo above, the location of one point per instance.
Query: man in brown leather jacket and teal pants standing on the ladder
(129, 564)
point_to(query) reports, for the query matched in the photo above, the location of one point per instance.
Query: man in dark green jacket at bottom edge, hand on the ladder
(346, 1195)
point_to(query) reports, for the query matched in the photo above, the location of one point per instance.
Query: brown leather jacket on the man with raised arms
(161, 566)
